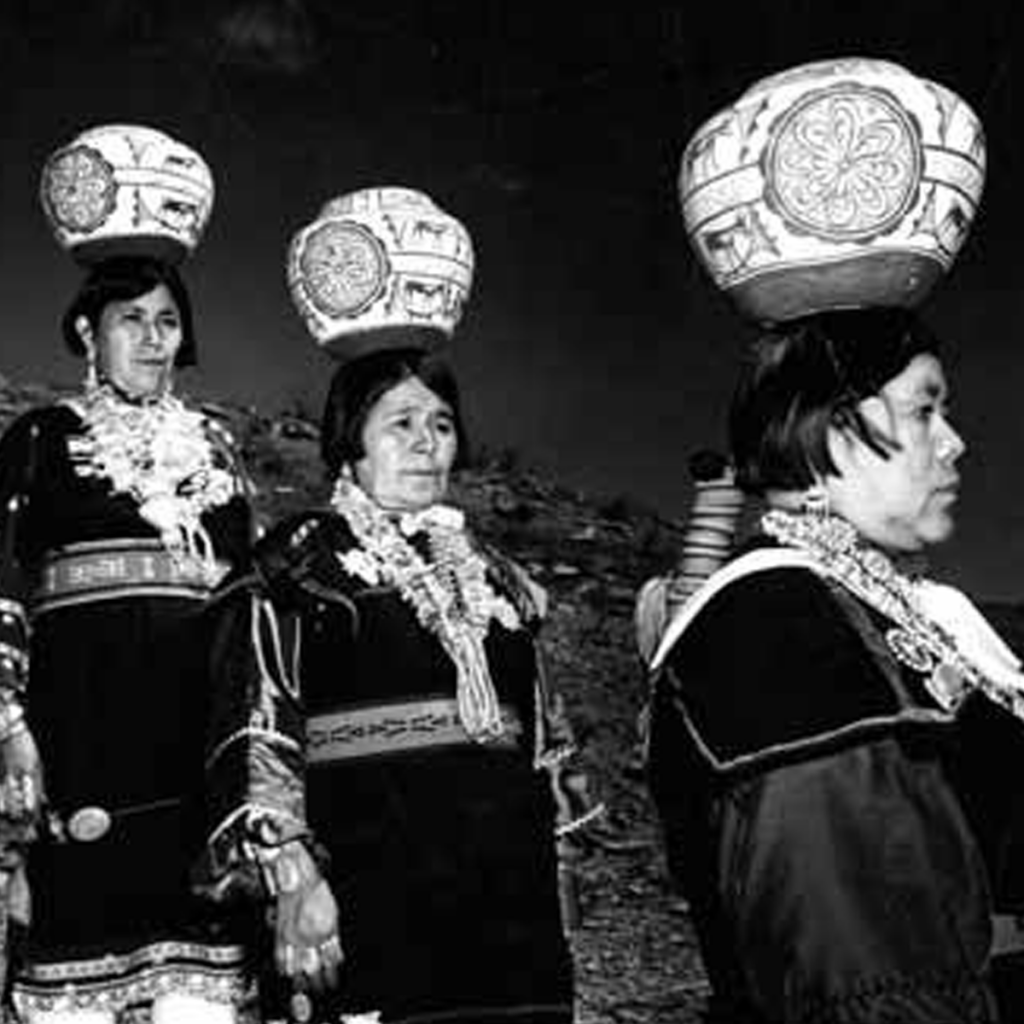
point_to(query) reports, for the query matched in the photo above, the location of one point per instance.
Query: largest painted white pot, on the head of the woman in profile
(836, 185)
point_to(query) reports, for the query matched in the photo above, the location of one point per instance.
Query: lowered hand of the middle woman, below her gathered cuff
(308, 948)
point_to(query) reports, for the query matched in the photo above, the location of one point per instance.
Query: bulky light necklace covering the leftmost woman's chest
(160, 454)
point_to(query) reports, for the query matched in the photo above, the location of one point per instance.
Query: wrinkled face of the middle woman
(410, 444)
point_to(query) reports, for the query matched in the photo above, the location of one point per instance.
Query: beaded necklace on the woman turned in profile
(916, 639)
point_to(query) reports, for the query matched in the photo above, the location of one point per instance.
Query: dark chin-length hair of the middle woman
(359, 385)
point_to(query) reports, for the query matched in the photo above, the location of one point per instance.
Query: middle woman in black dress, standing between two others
(387, 769)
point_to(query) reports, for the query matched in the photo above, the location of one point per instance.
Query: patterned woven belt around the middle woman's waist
(396, 729)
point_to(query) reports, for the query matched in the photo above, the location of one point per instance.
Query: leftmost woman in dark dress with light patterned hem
(122, 507)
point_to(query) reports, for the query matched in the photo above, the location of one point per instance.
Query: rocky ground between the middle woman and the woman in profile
(635, 952)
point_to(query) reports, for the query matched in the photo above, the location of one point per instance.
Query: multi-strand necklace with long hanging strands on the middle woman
(449, 591)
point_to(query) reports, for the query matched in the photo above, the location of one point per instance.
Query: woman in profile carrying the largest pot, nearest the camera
(809, 779)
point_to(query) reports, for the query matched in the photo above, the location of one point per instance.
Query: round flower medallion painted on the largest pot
(844, 163)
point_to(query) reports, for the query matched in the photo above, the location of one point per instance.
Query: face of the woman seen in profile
(904, 503)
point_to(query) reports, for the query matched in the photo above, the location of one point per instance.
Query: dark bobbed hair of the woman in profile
(808, 375)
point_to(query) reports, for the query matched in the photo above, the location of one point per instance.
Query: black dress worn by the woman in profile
(801, 777)
